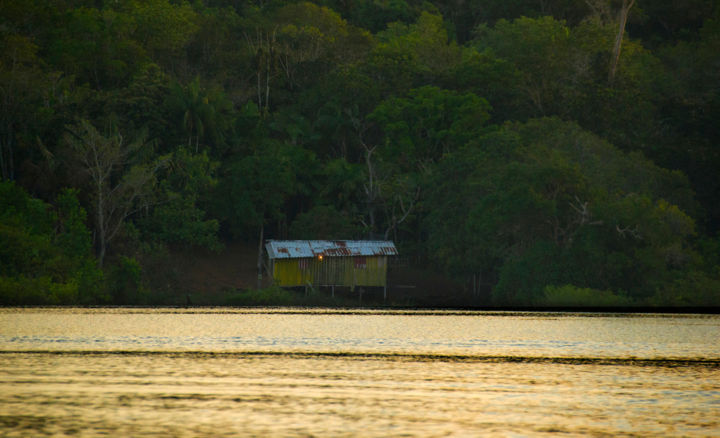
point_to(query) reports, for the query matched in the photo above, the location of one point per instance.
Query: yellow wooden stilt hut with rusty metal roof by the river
(329, 263)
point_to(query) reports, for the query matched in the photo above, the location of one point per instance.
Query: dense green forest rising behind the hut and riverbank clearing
(548, 152)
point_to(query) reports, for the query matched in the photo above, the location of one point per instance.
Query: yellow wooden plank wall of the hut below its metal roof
(330, 271)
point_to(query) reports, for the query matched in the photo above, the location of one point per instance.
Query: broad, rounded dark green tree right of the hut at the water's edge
(546, 203)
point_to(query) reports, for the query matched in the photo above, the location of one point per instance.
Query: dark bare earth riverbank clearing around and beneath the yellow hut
(229, 277)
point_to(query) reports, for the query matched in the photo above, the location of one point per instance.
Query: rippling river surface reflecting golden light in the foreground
(295, 372)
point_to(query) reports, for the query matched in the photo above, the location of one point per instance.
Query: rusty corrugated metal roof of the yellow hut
(290, 249)
